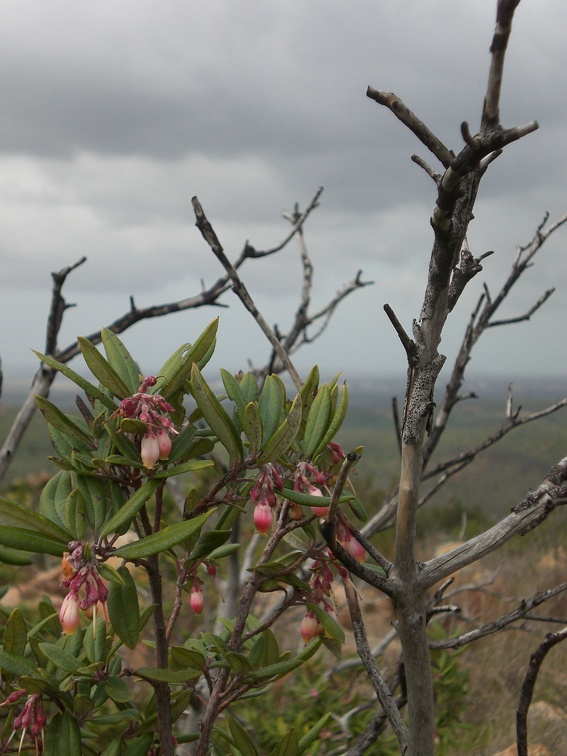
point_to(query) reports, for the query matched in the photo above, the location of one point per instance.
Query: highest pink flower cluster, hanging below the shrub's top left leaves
(151, 410)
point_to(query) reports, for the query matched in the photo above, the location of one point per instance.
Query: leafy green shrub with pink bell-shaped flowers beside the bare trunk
(106, 512)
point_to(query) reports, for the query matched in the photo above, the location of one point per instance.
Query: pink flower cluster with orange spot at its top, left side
(80, 572)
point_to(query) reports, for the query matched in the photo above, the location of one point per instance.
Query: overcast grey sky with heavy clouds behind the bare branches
(114, 114)
